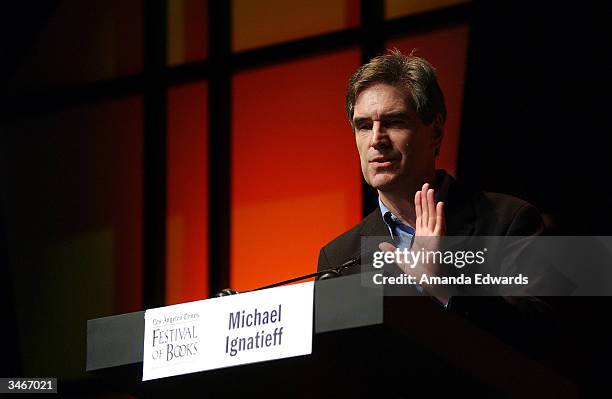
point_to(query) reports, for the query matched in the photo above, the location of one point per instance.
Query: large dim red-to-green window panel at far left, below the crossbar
(74, 192)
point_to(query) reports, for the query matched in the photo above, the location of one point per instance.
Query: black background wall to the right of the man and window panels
(536, 119)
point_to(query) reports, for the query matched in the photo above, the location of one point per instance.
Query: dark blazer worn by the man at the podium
(468, 213)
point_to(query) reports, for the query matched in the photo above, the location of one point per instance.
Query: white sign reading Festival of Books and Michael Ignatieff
(251, 327)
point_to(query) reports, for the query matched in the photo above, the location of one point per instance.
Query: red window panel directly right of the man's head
(446, 49)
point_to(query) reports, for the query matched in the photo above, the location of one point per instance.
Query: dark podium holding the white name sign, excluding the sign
(365, 344)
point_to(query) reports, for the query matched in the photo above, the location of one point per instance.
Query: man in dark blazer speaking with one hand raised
(397, 113)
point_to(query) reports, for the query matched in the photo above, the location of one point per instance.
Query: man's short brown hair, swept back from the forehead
(413, 74)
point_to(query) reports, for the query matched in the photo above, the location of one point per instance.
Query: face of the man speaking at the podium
(395, 148)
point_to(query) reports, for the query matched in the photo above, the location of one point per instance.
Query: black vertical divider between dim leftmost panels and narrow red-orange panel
(154, 155)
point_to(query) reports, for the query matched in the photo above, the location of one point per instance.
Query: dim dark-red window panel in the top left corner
(85, 41)
